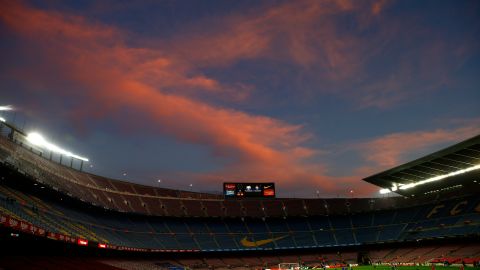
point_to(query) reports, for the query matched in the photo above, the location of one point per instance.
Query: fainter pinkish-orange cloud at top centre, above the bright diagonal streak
(304, 32)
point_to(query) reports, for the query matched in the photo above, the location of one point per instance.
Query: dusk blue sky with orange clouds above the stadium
(312, 95)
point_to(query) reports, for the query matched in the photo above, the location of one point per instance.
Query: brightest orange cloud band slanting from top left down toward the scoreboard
(109, 77)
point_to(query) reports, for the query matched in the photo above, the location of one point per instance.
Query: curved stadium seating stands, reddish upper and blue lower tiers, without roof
(51, 201)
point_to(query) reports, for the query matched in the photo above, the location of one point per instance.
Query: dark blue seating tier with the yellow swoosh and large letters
(204, 233)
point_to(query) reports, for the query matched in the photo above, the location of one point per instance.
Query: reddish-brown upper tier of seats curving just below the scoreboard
(129, 197)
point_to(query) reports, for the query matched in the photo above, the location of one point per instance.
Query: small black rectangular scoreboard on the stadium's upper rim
(249, 190)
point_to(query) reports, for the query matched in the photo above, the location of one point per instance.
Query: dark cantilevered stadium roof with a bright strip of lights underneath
(455, 167)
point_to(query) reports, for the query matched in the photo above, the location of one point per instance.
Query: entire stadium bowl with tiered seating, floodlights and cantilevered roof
(48, 209)
